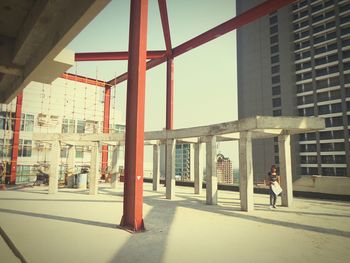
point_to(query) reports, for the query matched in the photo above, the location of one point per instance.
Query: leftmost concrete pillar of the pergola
(54, 162)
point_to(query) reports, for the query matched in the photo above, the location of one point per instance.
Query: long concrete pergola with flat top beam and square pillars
(244, 130)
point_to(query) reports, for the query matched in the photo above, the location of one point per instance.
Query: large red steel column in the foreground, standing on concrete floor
(135, 109)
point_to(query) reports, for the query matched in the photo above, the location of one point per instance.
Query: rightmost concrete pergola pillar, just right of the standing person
(285, 169)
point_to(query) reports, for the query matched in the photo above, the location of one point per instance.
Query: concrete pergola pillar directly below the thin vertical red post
(170, 169)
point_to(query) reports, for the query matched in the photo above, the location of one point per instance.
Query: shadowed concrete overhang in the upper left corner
(33, 35)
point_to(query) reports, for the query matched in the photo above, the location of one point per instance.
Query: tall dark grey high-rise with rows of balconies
(296, 62)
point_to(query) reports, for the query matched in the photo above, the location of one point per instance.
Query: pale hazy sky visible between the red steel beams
(205, 83)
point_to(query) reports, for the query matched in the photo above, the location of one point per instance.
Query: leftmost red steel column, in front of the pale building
(15, 139)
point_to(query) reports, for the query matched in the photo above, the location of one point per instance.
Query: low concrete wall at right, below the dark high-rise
(323, 184)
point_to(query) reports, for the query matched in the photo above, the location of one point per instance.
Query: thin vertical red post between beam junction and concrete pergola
(170, 94)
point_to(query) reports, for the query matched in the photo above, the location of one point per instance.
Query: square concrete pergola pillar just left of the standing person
(246, 184)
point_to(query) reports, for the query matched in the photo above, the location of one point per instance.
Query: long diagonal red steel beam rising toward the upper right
(230, 25)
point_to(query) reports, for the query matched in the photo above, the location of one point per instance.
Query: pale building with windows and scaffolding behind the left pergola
(65, 106)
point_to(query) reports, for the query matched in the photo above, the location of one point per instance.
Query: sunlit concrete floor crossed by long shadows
(72, 226)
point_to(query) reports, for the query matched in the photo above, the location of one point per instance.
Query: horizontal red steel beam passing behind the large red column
(122, 55)
